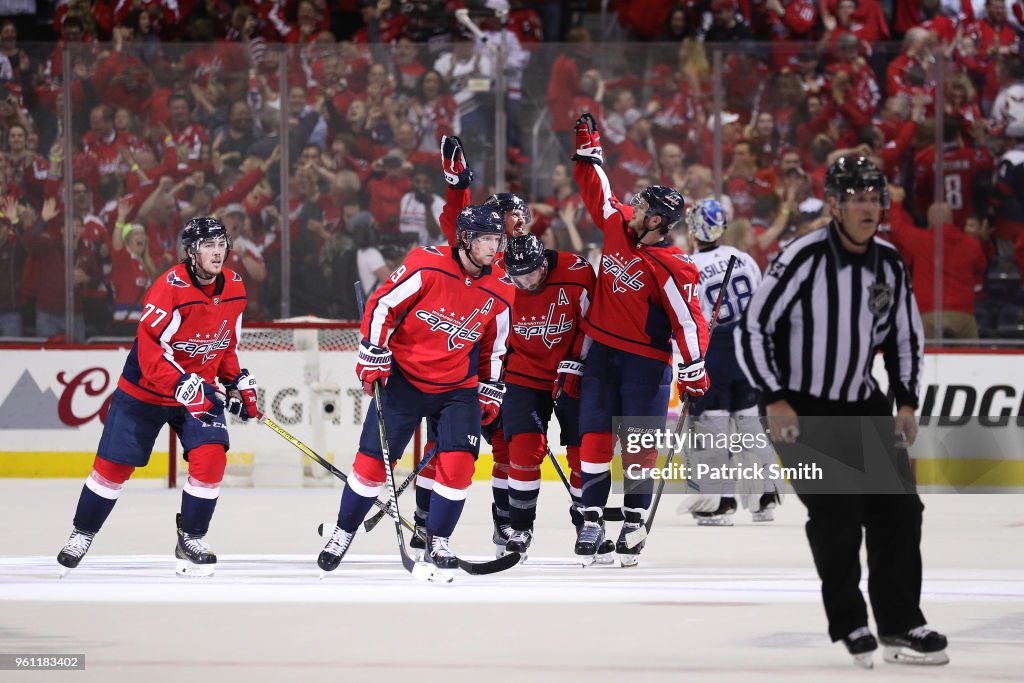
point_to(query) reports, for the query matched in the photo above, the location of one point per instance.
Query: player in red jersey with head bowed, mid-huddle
(543, 373)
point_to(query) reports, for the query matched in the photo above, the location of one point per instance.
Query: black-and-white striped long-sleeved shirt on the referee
(815, 324)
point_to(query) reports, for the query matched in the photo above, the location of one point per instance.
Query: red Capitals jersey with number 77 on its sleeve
(186, 328)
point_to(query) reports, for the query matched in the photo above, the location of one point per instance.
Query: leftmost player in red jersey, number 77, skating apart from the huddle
(187, 340)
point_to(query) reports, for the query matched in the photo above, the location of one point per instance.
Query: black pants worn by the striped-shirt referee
(838, 522)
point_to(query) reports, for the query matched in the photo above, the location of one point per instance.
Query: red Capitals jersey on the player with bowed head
(546, 324)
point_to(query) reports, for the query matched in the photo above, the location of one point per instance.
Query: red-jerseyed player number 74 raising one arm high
(648, 293)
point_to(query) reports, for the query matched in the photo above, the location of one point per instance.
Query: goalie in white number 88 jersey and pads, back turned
(729, 435)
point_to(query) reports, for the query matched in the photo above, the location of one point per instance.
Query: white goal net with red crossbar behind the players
(305, 370)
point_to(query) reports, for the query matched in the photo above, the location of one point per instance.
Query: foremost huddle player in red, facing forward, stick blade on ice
(436, 335)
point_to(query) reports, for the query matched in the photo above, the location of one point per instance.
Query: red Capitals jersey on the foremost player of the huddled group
(446, 329)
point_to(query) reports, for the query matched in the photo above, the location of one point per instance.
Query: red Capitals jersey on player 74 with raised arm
(644, 295)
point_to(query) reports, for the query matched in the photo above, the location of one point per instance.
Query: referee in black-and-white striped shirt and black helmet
(808, 340)
